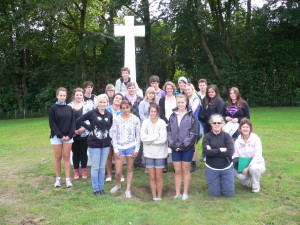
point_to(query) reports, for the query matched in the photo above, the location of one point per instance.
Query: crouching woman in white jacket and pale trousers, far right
(249, 144)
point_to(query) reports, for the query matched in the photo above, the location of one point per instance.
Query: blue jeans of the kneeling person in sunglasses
(220, 182)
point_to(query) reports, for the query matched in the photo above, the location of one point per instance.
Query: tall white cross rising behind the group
(130, 31)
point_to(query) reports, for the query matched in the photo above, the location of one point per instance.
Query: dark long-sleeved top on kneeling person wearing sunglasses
(214, 157)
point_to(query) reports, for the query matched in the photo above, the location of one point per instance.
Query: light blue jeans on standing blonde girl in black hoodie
(98, 158)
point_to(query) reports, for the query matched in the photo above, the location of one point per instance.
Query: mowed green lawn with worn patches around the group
(28, 197)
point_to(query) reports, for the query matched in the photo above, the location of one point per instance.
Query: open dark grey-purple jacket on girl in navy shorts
(185, 135)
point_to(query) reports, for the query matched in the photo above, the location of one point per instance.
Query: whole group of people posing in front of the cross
(122, 124)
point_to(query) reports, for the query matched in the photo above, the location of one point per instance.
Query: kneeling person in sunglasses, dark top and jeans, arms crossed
(218, 147)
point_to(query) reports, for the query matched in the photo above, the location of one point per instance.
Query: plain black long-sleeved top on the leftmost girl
(61, 121)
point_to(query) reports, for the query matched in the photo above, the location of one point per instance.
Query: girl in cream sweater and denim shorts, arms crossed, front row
(154, 138)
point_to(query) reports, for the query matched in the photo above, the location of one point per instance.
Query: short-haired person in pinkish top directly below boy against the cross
(135, 100)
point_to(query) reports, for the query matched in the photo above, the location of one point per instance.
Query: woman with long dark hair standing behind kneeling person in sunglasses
(214, 104)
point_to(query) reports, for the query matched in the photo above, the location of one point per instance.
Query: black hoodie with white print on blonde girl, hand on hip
(100, 125)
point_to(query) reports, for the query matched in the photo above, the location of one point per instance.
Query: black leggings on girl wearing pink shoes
(79, 149)
